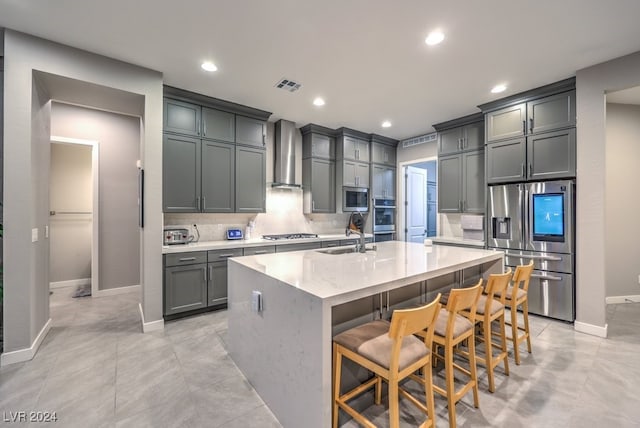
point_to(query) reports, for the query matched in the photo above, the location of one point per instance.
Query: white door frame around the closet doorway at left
(95, 211)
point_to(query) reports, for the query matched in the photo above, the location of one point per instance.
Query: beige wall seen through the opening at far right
(622, 251)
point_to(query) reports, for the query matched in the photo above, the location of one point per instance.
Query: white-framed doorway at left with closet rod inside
(74, 215)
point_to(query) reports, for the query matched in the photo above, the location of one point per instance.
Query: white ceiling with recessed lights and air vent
(367, 58)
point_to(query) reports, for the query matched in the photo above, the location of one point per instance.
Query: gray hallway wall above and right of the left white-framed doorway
(119, 139)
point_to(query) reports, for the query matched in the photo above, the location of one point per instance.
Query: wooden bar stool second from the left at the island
(455, 325)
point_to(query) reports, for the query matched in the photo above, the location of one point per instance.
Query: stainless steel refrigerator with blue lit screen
(536, 221)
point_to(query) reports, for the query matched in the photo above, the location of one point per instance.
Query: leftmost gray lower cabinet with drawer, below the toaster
(185, 282)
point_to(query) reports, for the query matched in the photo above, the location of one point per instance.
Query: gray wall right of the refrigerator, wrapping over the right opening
(591, 84)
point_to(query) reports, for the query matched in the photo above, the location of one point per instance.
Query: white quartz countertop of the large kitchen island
(346, 276)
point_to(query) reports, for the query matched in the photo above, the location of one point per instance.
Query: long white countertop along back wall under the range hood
(255, 242)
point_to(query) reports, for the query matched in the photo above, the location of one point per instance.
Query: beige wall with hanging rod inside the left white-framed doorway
(70, 190)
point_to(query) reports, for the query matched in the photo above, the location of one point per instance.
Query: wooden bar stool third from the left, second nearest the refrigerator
(491, 308)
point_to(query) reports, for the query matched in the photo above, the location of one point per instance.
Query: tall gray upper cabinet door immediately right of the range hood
(318, 183)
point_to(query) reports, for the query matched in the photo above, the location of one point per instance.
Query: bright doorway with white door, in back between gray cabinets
(418, 212)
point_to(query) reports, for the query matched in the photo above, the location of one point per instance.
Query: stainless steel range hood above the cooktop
(284, 174)
